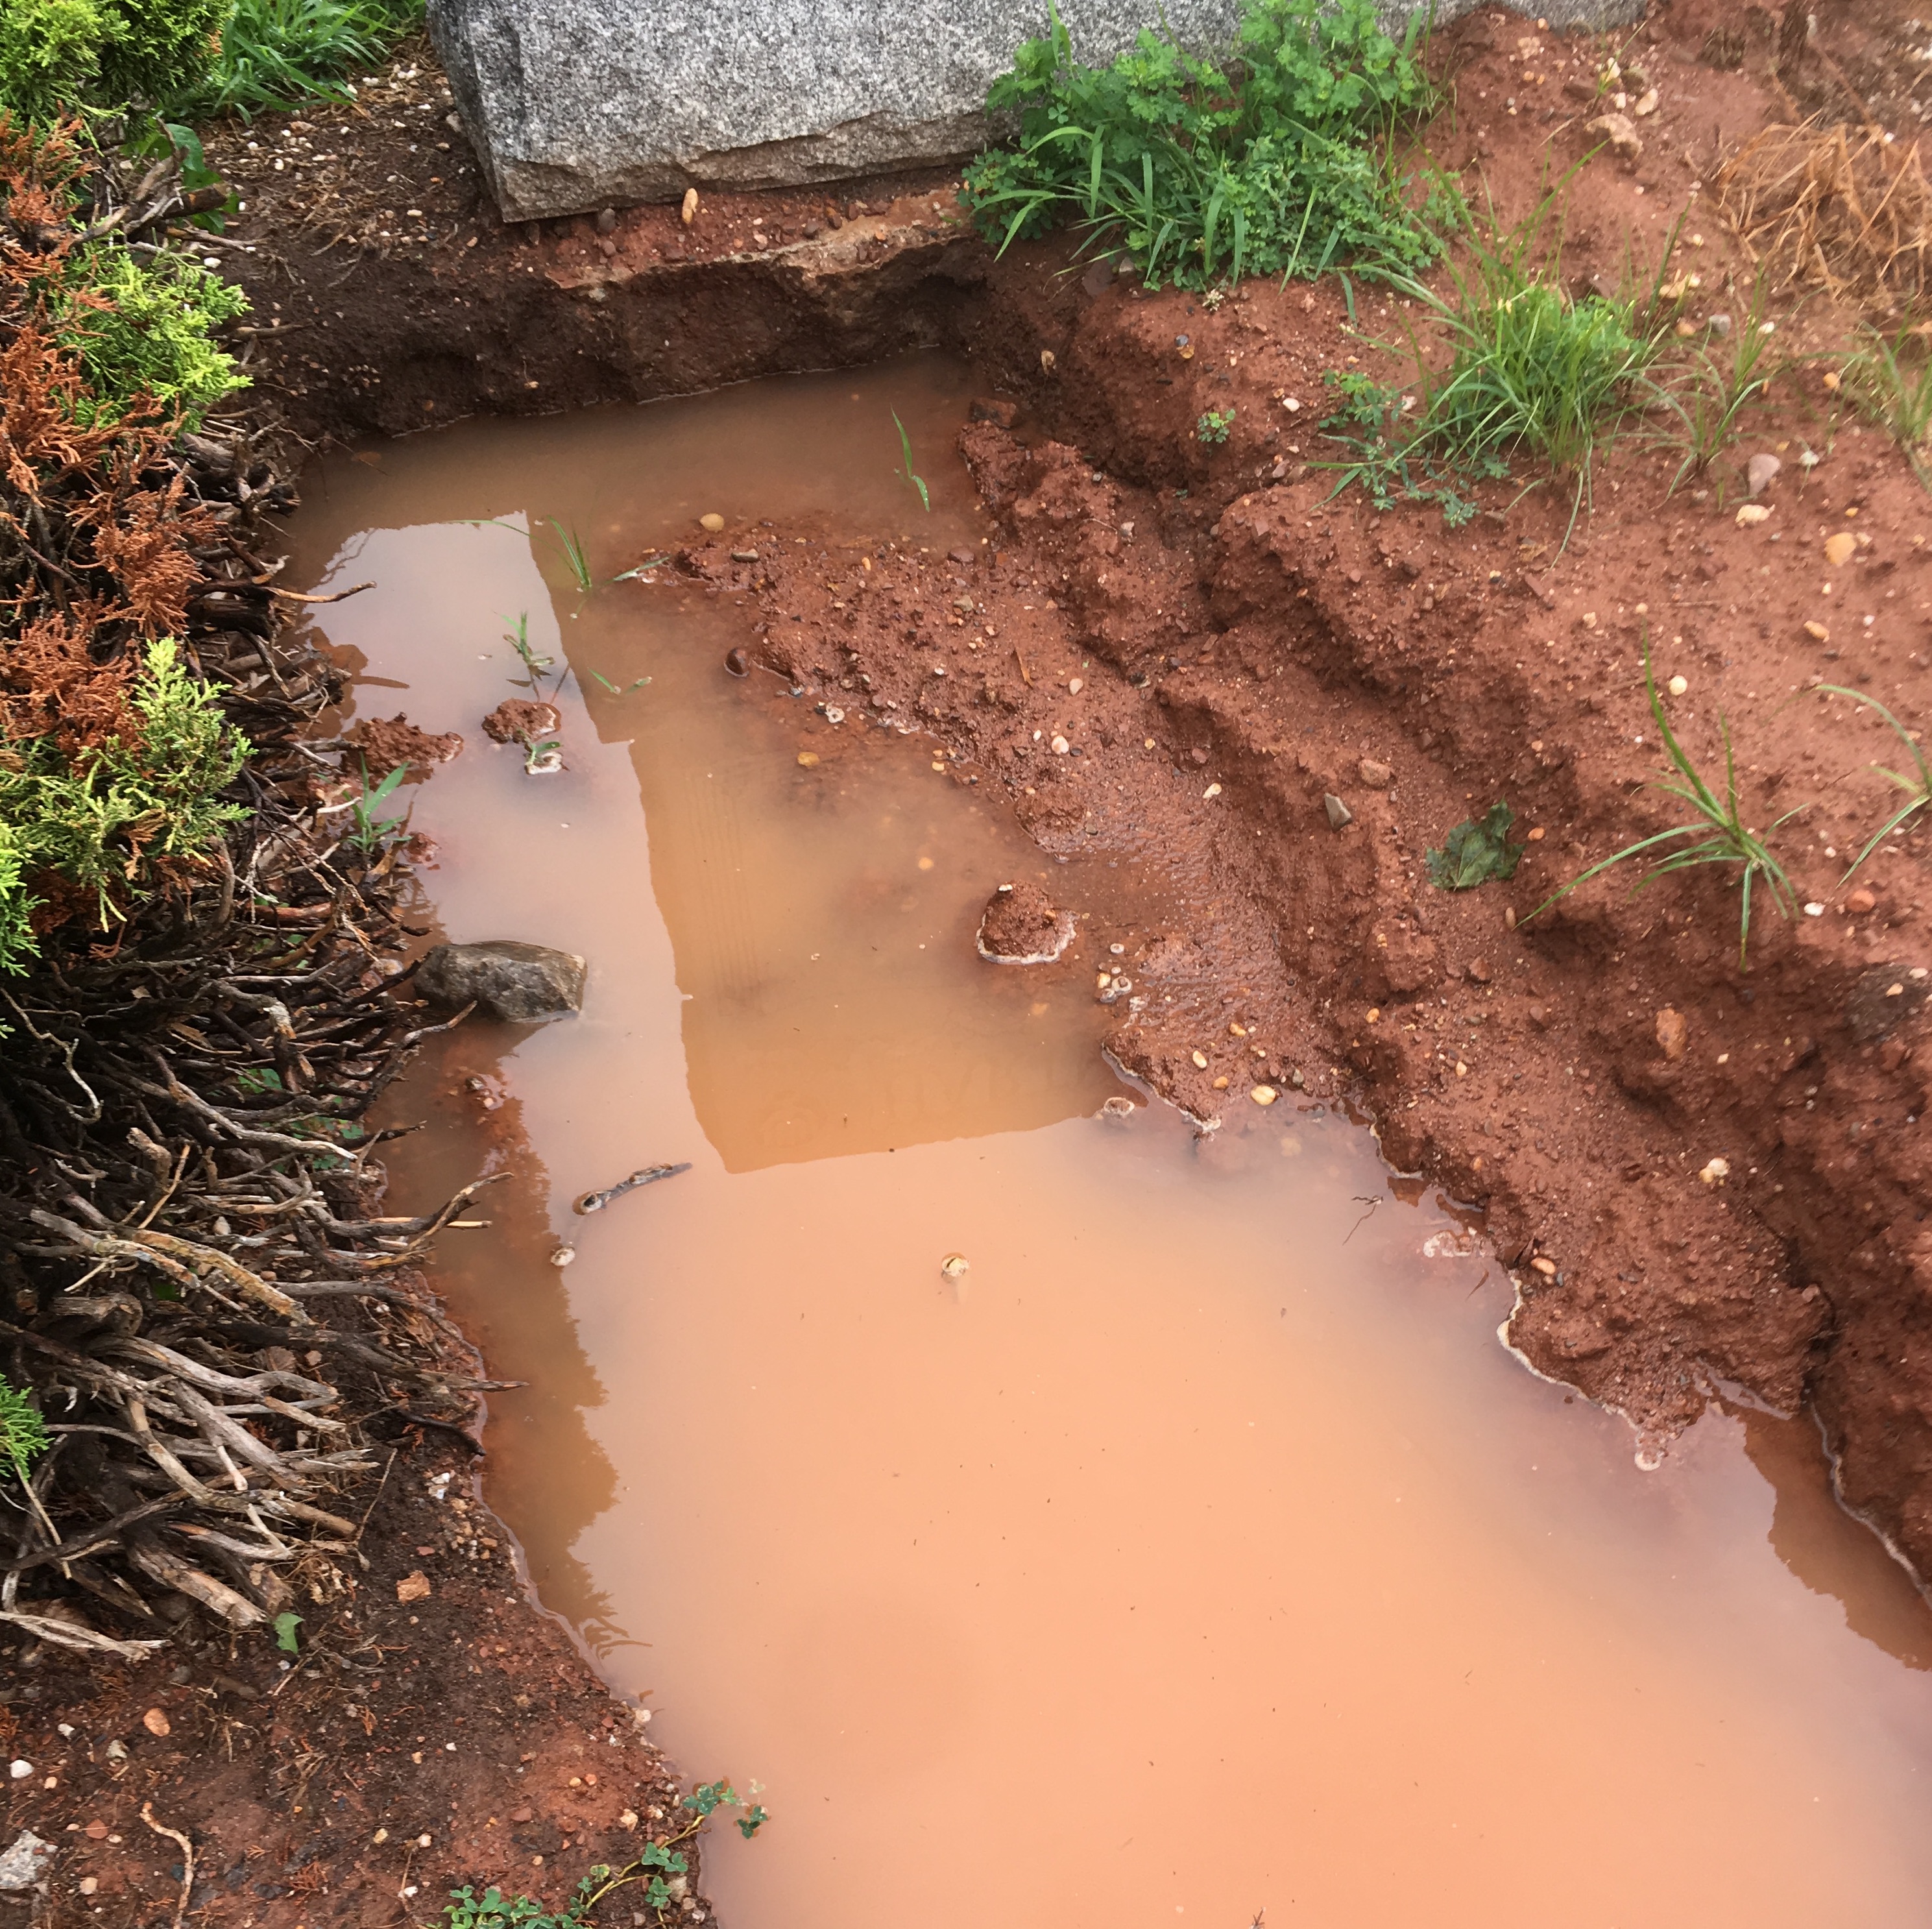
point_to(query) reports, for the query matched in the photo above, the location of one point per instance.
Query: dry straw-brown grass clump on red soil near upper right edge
(1836, 210)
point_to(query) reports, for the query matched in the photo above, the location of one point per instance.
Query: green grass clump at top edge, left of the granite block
(281, 53)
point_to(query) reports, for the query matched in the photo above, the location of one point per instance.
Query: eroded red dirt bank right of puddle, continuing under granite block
(1249, 648)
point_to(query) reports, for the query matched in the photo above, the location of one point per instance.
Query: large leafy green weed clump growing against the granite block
(1274, 165)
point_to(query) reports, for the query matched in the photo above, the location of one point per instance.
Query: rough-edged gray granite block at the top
(602, 103)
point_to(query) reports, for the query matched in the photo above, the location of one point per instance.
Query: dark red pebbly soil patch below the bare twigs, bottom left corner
(434, 1731)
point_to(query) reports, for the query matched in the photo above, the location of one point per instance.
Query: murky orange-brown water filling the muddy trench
(1199, 1551)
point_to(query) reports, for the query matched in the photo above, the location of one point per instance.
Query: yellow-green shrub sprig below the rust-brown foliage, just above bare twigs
(115, 819)
